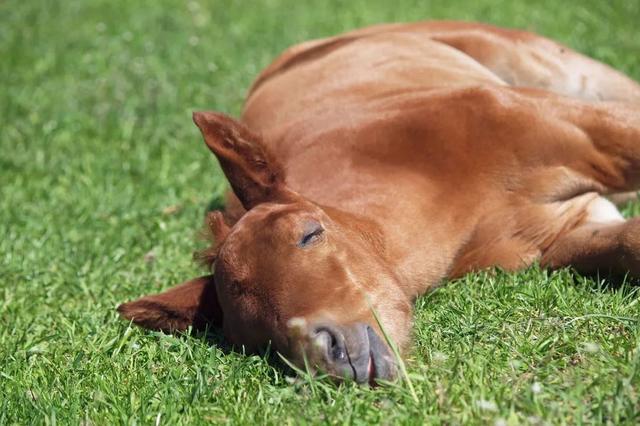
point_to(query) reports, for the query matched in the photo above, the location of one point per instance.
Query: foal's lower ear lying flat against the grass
(193, 303)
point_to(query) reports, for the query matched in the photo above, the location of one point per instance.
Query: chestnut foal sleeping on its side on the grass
(368, 167)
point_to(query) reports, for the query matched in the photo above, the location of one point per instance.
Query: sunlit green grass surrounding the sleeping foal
(103, 184)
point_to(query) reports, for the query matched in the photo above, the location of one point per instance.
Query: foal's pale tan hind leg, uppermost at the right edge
(523, 59)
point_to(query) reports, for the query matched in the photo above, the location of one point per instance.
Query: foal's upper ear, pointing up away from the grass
(254, 174)
